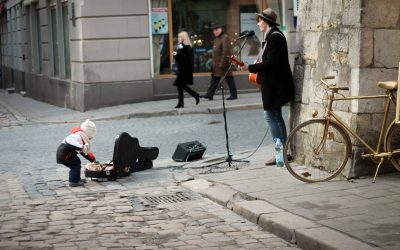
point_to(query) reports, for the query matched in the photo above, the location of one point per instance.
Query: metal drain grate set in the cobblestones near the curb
(151, 201)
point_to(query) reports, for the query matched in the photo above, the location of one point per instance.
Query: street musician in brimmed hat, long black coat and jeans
(277, 80)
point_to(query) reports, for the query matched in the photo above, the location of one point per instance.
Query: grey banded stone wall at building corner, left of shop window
(110, 52)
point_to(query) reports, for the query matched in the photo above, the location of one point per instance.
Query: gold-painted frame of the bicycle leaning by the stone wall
(374, 153)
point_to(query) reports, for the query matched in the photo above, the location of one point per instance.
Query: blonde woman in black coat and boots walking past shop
(184, 59)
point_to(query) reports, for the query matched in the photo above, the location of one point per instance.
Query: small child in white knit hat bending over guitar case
(79, 141)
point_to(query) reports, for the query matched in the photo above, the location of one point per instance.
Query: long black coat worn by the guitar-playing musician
(278, 86)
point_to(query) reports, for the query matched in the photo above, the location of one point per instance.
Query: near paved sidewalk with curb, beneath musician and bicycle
(339, 214)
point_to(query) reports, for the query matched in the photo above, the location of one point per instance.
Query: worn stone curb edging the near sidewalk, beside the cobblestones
(305, 233)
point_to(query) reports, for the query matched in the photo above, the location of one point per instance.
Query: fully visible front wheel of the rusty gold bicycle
(307, 164)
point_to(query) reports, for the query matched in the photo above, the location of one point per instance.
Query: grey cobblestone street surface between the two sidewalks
(39, 211)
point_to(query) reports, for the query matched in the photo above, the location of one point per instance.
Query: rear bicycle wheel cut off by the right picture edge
(392, 144)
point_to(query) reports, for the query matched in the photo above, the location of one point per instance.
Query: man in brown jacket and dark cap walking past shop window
(220, 56)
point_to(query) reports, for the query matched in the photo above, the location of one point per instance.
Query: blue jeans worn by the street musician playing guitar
(276, 124)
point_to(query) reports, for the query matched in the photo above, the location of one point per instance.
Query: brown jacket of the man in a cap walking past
(221, 52)
